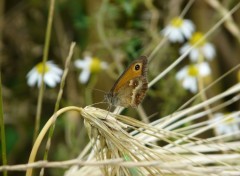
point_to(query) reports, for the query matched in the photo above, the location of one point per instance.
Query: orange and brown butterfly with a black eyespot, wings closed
(131, 87)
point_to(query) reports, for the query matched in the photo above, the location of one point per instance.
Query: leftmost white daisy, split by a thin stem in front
(52, 74)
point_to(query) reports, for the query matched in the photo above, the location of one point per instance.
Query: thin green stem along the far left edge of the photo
(3, 140)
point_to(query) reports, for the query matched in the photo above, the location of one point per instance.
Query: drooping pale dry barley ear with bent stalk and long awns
(128, 146)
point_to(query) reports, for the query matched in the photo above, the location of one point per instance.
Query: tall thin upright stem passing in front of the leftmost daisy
(45, 55)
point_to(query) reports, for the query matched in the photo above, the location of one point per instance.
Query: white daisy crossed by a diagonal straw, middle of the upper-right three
(203, 49)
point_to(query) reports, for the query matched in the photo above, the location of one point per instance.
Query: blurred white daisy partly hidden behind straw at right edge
(230, 125)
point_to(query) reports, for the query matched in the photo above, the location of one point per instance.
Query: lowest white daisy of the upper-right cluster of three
(188, 75)
